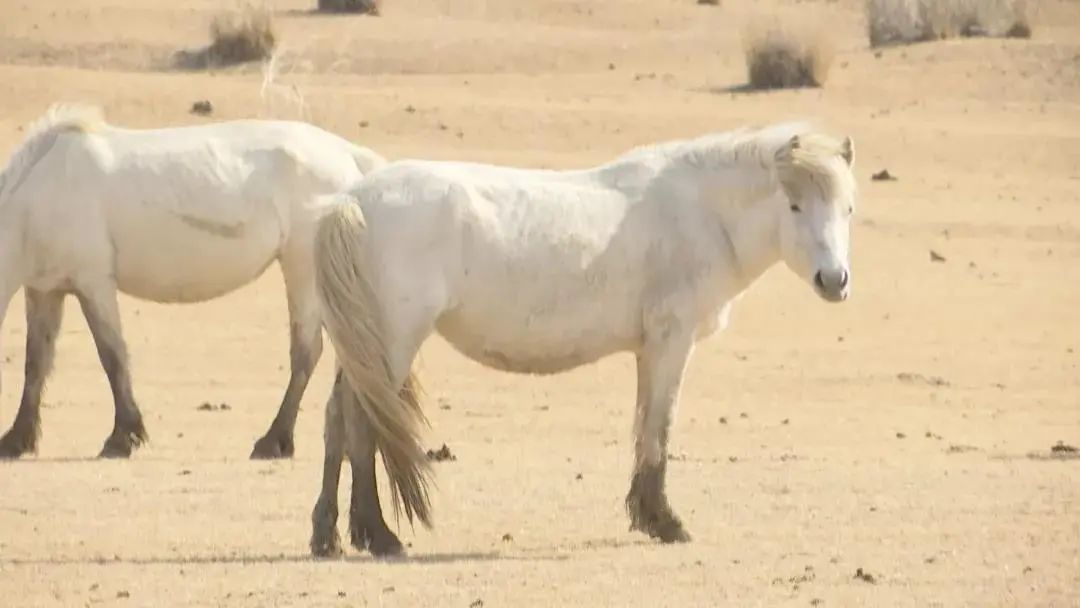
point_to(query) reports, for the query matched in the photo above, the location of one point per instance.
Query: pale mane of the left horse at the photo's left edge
(42, 136)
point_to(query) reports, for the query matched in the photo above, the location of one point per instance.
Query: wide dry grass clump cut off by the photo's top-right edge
(898, 22)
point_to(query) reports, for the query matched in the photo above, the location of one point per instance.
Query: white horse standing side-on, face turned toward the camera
(543, 272)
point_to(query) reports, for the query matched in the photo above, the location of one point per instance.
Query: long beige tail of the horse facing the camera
(354, 321)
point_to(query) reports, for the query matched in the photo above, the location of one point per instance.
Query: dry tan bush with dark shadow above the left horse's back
(236, 38)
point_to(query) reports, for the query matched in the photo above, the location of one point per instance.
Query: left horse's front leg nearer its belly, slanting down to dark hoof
(100, 306)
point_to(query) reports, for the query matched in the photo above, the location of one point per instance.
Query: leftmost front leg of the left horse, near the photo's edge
(45, 313)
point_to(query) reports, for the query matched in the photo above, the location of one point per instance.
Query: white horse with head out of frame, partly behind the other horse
(169, 215)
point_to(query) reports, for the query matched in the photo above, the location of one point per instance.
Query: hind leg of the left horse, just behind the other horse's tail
(306, 347)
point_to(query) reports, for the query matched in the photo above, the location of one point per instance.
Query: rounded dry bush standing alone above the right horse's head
(781, 56)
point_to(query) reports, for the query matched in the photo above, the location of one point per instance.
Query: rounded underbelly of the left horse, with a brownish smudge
(165, 259)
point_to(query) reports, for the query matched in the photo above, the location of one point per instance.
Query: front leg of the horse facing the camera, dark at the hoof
(660, 368)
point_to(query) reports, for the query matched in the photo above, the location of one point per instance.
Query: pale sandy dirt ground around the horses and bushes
(906, 433)
